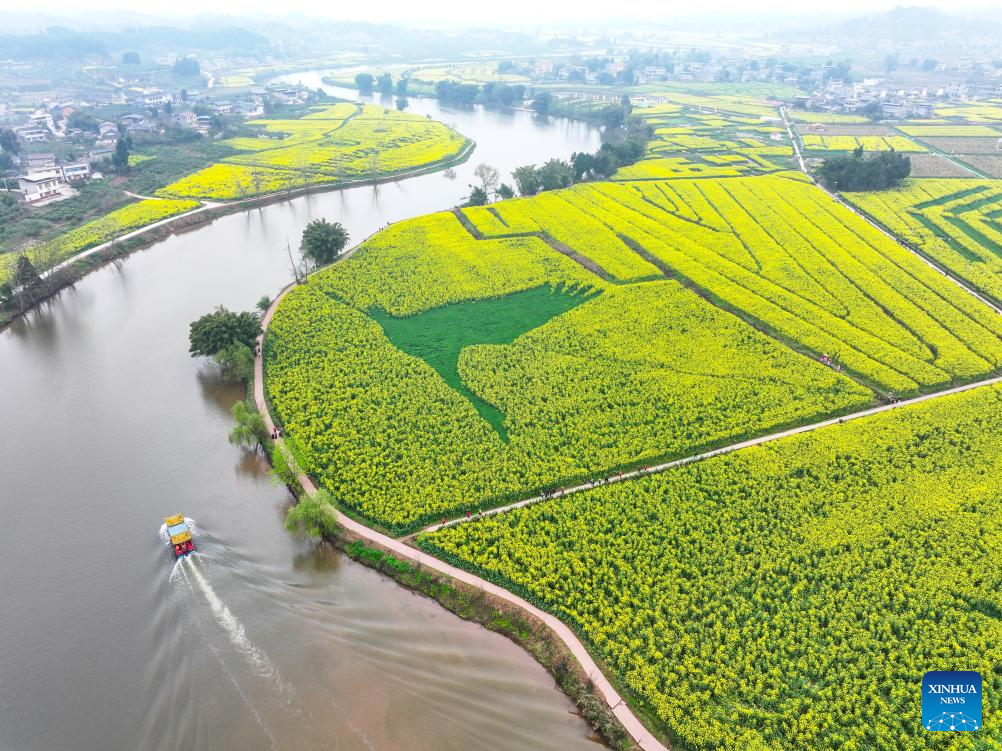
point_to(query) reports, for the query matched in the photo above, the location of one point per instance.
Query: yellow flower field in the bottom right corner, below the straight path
(784, 596)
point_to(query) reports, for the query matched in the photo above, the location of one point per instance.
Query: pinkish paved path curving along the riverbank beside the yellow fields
(644, 738)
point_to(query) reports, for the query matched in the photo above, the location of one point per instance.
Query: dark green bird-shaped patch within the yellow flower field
(440, 335)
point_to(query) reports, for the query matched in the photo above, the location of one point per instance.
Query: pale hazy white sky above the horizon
(465, 13)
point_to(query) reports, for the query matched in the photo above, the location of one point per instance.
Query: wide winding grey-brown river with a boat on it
(261, 641)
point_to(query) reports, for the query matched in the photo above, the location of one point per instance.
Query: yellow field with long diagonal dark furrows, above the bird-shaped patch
(785, 256)
